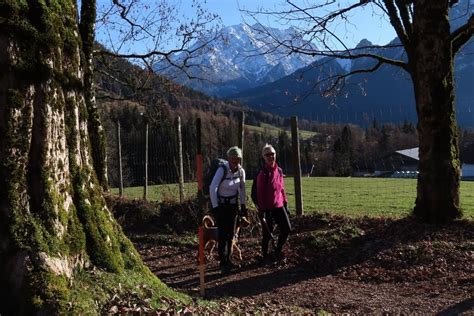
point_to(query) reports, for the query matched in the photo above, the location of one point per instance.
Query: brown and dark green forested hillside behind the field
(131, 96)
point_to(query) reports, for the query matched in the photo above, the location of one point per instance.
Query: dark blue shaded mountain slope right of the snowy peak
(386, 94)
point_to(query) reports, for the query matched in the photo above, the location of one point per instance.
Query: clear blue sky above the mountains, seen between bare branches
(365, 24)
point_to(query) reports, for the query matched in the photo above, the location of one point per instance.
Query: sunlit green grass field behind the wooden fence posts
(345, 196)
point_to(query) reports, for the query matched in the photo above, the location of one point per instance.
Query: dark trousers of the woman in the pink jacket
(276, 216)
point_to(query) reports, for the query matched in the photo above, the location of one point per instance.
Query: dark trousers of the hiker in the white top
(226, 216)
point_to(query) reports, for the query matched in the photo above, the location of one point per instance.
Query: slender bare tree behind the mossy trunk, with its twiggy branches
(146, 33)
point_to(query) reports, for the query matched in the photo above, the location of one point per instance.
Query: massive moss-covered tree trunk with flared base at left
(53, 218)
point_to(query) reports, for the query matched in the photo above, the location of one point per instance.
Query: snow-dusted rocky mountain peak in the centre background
(241, 60)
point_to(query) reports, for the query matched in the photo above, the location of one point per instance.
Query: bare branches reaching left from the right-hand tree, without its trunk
(317, 31)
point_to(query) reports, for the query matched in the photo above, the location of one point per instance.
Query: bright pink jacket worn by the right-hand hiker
(270, 189)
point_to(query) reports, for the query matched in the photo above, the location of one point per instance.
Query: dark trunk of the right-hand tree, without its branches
(432, 72)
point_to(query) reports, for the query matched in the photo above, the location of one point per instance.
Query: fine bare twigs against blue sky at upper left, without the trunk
(148, 32)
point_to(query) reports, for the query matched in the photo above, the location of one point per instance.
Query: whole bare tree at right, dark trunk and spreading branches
(430, 45)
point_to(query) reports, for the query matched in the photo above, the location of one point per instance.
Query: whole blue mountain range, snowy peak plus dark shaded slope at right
(264, 84)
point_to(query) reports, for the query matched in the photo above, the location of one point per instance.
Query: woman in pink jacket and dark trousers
(272, 203)
